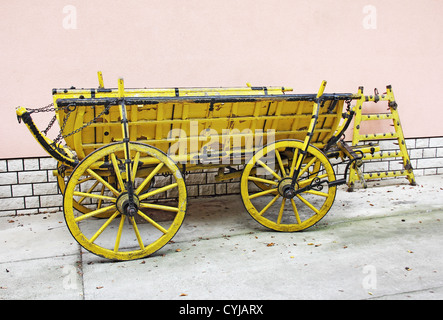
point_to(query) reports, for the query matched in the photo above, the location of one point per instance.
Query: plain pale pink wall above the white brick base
(168, 43)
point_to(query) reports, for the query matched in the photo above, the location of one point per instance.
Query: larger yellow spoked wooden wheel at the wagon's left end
(124, 235)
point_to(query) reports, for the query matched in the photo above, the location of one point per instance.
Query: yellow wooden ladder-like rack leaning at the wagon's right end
(355, 172)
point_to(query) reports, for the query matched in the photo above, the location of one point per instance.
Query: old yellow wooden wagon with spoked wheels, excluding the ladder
(122, 171)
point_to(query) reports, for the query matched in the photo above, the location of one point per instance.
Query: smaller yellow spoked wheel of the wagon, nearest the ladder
(273, 166)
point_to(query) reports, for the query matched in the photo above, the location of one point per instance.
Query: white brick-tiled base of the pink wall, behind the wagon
(27, 186)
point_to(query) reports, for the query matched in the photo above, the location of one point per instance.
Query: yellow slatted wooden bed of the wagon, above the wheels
(154, 115)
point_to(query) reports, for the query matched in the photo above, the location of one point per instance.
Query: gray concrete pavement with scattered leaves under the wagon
(384, 242)
